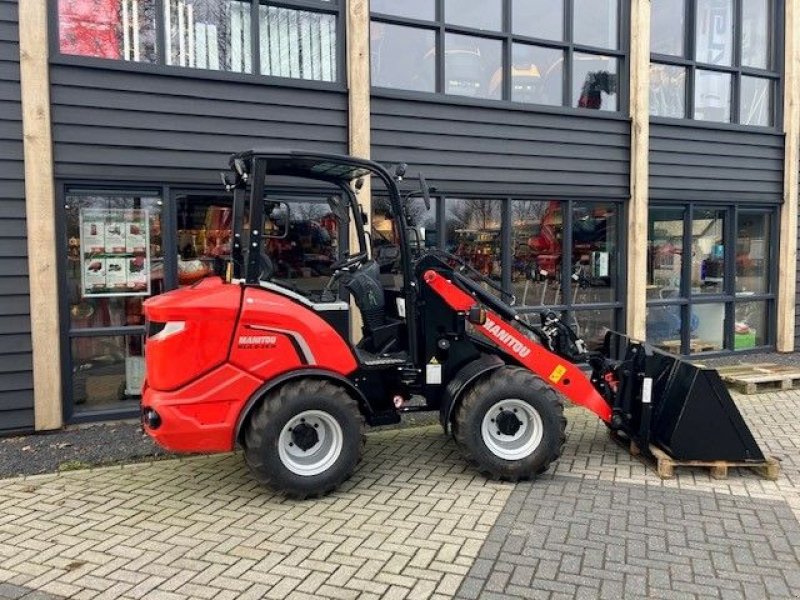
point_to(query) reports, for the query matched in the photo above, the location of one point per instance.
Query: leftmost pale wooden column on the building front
(40, 213)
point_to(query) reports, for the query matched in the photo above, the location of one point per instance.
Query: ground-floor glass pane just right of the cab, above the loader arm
(473, 232)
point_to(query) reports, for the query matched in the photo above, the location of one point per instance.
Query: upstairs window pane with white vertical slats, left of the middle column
(298, 44)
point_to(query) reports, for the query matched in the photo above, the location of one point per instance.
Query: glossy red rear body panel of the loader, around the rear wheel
(229, 341)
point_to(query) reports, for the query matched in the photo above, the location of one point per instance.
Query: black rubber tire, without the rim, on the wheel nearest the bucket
(505, 384)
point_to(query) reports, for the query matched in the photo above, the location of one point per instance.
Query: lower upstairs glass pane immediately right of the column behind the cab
(403, 57)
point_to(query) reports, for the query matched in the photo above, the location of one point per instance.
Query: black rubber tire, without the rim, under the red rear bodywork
(263, 432)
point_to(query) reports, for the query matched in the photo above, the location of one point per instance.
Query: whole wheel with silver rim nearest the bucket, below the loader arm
(510, 425)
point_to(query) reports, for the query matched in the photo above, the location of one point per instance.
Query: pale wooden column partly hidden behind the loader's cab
(358, 85)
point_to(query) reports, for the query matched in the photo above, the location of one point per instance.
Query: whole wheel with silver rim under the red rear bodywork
(305, 439)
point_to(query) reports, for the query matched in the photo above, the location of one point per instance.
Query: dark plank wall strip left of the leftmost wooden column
(16, 380)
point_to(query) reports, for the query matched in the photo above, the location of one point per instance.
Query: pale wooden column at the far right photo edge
(787, 262)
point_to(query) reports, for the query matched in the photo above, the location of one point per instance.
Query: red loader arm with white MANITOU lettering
(562, 375)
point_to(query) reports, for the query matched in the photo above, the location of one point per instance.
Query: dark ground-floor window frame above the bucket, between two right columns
(729, 298)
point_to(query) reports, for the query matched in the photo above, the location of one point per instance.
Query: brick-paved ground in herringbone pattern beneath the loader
(414, 523)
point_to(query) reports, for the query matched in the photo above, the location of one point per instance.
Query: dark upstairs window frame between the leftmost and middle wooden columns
(160, 66)
